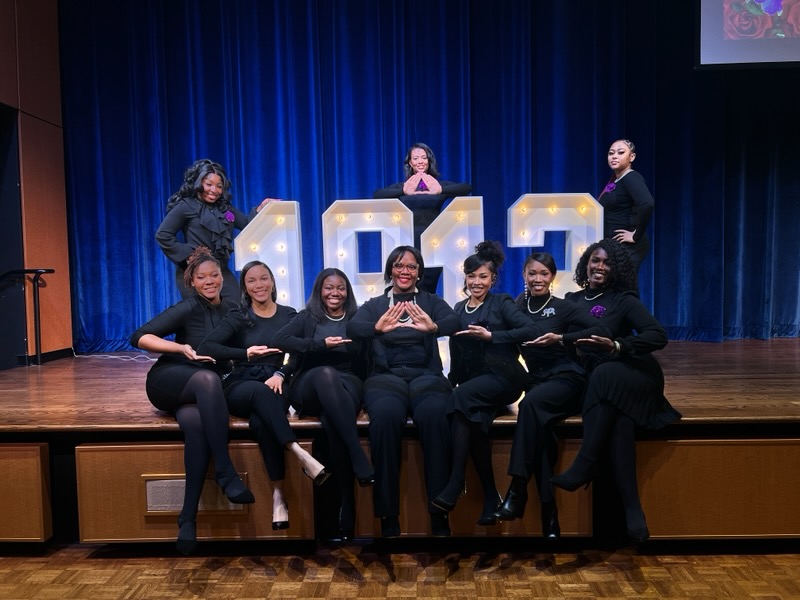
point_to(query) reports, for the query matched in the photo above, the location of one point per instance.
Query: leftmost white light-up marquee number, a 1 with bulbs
(274, 237)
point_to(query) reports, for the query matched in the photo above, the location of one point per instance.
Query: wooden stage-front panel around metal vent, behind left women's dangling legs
(112, 506)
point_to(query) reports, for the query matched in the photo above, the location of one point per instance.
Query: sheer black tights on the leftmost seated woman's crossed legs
(203, 417)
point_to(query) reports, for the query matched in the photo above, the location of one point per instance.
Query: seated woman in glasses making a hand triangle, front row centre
(406, 379)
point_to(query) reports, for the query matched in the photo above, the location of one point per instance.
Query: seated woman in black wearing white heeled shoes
(254, 387)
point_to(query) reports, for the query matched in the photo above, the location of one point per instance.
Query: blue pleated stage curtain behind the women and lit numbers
(319, 100)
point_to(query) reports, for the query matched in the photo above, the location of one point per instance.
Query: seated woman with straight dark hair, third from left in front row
(328, 381)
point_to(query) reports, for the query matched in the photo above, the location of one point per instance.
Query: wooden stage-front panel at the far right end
(720, 488)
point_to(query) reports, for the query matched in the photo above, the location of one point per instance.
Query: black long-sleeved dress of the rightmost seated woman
(631, 380)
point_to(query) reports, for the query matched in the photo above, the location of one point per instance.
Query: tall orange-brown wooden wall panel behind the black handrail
(44, 225)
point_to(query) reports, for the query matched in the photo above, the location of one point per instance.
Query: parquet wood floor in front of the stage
(110, 573)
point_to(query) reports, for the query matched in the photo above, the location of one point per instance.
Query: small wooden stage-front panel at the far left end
(25, 493)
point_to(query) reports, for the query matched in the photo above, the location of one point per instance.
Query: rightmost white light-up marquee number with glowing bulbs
(580, 215)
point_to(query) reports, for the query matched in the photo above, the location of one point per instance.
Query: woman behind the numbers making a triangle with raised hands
(424, 193)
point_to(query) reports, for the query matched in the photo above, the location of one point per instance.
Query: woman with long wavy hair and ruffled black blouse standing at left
(201, 211)
